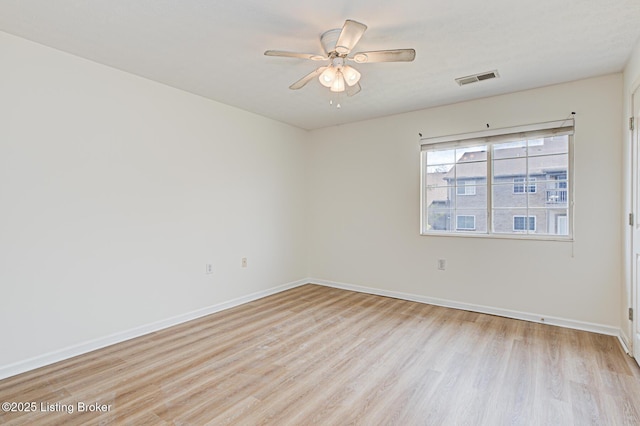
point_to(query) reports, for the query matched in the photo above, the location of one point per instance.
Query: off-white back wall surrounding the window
(364, 210)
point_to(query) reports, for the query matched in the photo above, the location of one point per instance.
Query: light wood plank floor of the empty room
(317, 355)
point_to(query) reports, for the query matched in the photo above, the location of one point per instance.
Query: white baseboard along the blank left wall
(101, 342)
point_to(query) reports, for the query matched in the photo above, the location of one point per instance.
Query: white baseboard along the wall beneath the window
(526, 316)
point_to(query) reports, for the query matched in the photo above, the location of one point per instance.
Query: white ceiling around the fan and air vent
(214, 48)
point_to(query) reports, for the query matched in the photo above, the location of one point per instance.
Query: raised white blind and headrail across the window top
(530, 131)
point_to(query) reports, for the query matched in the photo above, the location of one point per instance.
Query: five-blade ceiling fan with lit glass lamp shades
(337, 45)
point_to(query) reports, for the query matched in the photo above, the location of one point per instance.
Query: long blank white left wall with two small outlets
(115, 192)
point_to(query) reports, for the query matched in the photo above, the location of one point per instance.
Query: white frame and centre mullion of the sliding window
(489, 138)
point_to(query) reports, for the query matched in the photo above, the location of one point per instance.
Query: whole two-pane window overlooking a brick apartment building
(504, 182)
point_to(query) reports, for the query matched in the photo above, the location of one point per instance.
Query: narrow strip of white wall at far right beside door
(631, 82)
